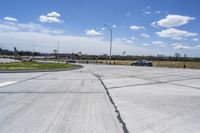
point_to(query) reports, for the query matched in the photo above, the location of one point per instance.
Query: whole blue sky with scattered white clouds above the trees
(140, 27)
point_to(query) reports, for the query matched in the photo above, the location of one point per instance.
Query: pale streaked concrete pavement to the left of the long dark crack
(55, 102)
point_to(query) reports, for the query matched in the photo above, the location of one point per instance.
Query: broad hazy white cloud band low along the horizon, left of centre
(68, 44)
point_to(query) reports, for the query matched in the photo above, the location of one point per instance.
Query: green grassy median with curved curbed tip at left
(34, 66)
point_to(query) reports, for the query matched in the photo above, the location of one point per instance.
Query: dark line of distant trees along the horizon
(175, 57)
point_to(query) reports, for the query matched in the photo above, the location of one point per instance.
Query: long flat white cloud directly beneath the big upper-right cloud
(175, 33)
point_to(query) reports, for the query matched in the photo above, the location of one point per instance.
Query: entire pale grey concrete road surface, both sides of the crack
(101, 99)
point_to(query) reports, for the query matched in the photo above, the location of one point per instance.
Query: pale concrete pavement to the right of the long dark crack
(154, 100)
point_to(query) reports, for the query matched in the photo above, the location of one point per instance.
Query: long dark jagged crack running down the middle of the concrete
(124, 127)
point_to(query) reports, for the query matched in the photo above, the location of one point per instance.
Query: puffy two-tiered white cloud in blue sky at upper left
(52, 17)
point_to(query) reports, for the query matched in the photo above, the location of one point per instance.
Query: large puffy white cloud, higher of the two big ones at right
(173, 21)
